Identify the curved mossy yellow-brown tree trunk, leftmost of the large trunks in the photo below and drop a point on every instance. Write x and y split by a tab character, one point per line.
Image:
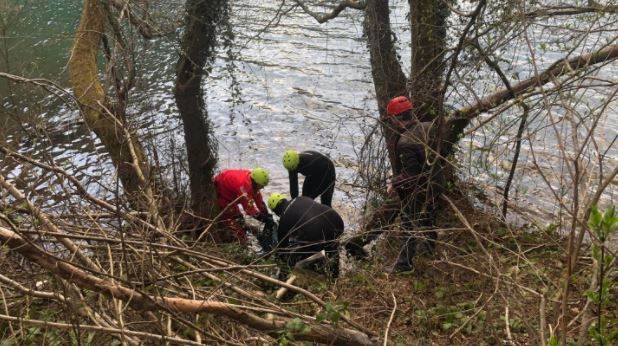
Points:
125	152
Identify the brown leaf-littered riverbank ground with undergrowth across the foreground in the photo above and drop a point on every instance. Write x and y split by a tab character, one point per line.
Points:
487	284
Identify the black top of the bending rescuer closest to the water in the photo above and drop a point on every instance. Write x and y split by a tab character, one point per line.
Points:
312	164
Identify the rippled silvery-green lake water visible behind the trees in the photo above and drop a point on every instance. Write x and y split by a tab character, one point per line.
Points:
303	86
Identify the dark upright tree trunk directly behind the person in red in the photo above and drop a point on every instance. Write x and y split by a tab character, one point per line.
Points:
197	50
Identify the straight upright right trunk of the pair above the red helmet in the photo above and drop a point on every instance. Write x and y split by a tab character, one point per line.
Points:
427	23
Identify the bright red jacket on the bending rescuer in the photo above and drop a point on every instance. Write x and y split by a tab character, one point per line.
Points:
235	186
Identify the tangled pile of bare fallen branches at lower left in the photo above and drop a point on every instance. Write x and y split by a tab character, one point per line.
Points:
149	284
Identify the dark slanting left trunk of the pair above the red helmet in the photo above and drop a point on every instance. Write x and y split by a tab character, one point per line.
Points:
388	78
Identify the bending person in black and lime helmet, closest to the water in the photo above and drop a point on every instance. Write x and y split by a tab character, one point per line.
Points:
319	172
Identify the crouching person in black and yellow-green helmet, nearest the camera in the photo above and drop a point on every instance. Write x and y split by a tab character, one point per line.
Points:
306	227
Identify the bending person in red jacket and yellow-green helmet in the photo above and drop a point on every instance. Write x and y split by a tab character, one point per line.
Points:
242	186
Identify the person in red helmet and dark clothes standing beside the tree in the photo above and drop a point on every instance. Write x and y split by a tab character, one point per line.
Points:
415	189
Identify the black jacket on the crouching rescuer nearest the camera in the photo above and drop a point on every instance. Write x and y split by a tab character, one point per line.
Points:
308	222
